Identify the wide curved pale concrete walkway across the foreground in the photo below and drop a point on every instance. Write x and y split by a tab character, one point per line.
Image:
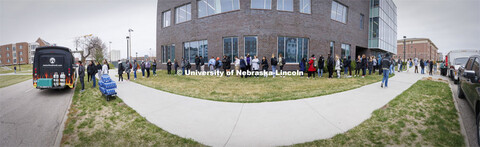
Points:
261	124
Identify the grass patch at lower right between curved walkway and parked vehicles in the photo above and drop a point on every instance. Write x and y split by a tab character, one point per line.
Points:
423	115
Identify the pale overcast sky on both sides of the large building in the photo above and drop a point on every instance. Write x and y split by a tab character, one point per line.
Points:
450	24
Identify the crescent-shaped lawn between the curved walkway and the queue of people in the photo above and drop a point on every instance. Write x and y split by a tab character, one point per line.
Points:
252	90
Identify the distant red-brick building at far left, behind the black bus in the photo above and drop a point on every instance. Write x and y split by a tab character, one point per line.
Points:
20	53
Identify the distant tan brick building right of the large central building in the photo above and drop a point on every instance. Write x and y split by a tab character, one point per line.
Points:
421	48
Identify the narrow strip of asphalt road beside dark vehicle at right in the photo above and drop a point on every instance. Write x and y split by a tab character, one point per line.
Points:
467	116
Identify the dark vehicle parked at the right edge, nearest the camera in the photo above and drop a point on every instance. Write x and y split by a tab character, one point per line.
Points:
469	86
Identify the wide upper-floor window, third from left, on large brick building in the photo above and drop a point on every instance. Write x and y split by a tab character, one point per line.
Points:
210	7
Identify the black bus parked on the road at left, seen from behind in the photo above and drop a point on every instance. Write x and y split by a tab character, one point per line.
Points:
54	68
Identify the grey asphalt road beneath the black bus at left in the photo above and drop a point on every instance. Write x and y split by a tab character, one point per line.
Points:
31	117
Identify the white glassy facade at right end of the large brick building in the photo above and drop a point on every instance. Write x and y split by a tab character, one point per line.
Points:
382	36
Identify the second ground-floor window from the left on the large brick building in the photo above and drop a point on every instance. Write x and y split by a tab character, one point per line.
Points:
195	48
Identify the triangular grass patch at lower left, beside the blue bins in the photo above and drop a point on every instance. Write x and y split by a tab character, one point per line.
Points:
92	121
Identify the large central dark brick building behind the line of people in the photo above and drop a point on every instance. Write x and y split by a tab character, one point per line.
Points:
293	28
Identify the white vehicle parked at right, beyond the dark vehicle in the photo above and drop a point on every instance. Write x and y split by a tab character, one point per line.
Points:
456	59
